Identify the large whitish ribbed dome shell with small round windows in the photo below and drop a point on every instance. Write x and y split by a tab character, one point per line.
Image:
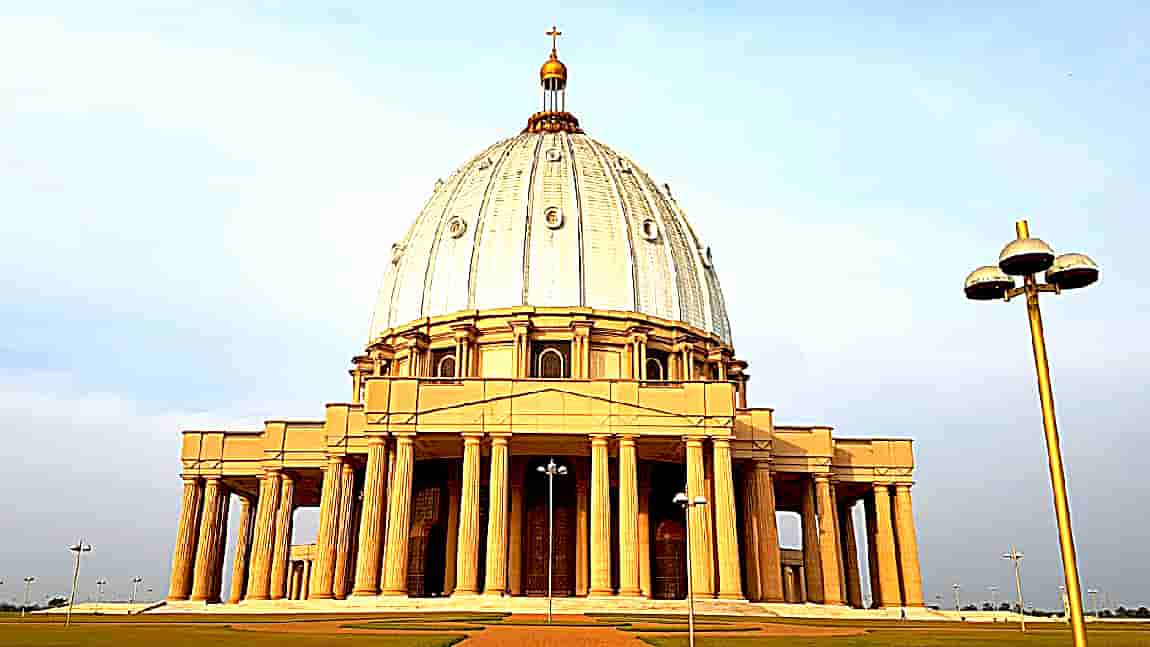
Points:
551	220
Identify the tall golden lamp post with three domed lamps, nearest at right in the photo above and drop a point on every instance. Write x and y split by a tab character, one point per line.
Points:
1028	258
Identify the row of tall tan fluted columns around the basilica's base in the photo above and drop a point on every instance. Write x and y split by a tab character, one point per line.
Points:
365	526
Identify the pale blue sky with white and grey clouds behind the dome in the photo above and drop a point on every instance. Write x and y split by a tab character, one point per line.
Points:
197	204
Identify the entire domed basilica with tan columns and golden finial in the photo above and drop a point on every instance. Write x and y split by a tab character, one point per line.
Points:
551	302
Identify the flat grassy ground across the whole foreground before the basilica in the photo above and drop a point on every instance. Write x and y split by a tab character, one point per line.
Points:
447	629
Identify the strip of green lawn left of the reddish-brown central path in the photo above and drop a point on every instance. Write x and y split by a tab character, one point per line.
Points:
103	635
